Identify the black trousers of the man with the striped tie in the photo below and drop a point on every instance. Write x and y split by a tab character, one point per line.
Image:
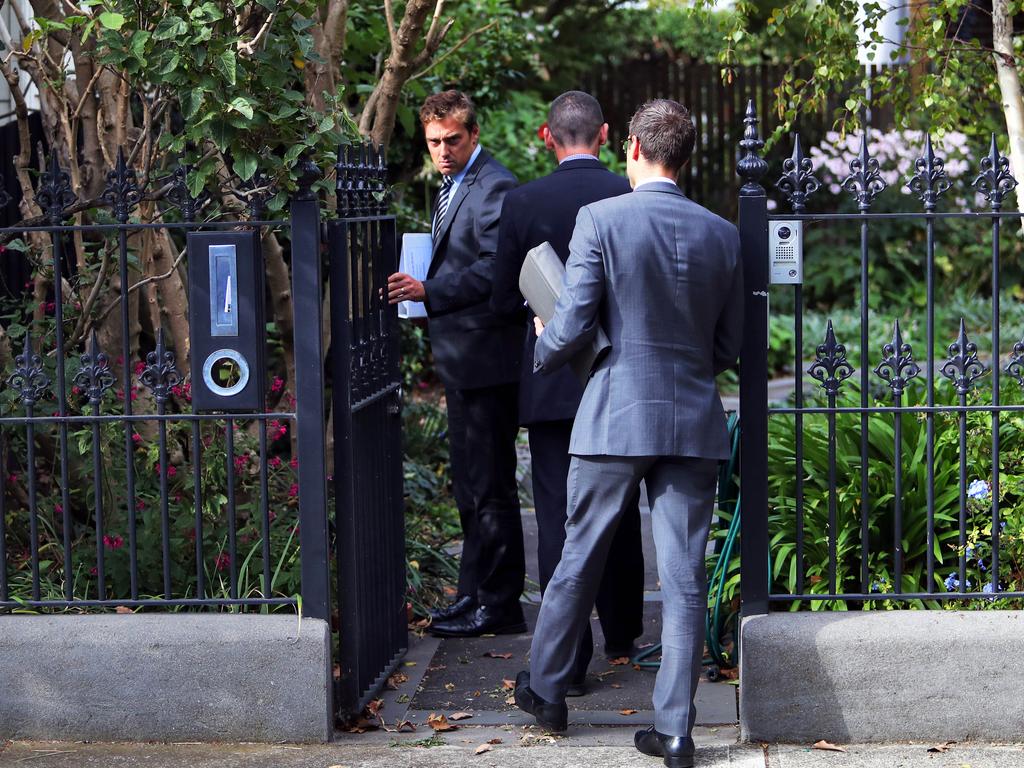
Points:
483	429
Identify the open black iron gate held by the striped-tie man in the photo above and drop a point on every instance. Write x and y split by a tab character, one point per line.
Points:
369	521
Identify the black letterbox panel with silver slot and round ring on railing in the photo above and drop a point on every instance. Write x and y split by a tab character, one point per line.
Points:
227	304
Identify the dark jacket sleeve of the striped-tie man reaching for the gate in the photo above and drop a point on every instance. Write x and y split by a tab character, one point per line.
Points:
472	285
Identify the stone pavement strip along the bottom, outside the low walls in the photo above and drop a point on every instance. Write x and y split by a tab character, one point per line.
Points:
509	748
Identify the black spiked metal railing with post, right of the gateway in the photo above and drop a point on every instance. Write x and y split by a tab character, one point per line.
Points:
877	536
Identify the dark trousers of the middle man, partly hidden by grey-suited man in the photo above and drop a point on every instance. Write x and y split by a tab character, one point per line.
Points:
620	599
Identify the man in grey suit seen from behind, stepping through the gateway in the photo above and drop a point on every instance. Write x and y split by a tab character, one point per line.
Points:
662	276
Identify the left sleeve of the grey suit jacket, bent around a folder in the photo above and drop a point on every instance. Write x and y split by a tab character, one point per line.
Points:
577	314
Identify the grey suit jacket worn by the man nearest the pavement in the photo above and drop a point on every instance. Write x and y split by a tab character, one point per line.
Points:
663	277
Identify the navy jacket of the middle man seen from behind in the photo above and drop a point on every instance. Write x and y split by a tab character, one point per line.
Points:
539	211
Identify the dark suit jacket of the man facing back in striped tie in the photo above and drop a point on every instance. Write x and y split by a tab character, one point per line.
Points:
473	347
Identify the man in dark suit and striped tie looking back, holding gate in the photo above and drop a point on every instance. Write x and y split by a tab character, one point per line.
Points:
478	357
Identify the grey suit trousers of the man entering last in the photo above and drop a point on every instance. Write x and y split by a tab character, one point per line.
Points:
681	492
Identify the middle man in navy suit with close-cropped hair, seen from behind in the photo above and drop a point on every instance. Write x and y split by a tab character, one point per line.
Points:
546	210
